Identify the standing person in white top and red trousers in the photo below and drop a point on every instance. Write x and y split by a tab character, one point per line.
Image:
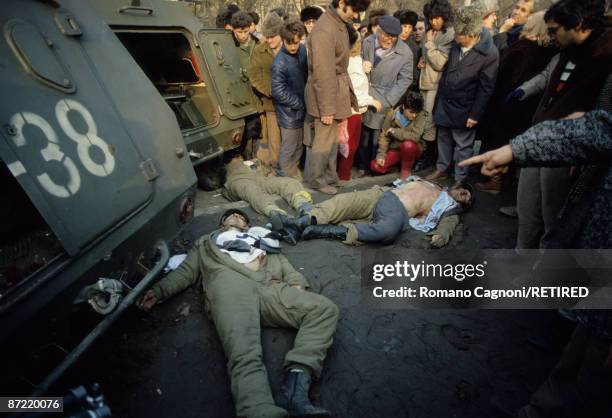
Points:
361	88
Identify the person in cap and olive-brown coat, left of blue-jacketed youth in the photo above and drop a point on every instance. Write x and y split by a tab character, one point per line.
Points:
260	73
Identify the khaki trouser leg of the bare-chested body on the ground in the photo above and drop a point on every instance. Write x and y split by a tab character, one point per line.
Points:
347	209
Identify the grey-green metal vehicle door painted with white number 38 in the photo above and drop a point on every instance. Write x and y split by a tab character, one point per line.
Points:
65	142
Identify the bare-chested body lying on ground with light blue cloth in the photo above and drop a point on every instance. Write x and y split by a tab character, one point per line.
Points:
381	214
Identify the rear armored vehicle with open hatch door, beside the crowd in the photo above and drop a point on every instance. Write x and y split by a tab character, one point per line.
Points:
195	69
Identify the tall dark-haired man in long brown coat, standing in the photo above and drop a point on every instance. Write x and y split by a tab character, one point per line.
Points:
329	94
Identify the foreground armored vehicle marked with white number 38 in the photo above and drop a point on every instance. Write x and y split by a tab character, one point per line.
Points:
95	175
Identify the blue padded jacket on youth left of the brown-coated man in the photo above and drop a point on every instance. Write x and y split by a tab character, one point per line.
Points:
289	75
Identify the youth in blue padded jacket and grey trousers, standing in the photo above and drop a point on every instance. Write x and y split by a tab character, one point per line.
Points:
289	75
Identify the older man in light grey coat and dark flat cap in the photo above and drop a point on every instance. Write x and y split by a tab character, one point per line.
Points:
390	76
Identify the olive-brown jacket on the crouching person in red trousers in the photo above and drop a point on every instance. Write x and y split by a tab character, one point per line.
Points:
414	132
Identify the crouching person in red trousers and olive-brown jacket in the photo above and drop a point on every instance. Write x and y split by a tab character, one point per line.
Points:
401	140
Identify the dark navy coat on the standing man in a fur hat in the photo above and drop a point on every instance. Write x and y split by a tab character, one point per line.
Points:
467	84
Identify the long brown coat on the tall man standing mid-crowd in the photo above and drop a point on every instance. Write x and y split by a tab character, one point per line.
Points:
329	91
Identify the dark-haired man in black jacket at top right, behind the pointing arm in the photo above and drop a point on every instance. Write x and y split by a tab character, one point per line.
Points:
585	63
